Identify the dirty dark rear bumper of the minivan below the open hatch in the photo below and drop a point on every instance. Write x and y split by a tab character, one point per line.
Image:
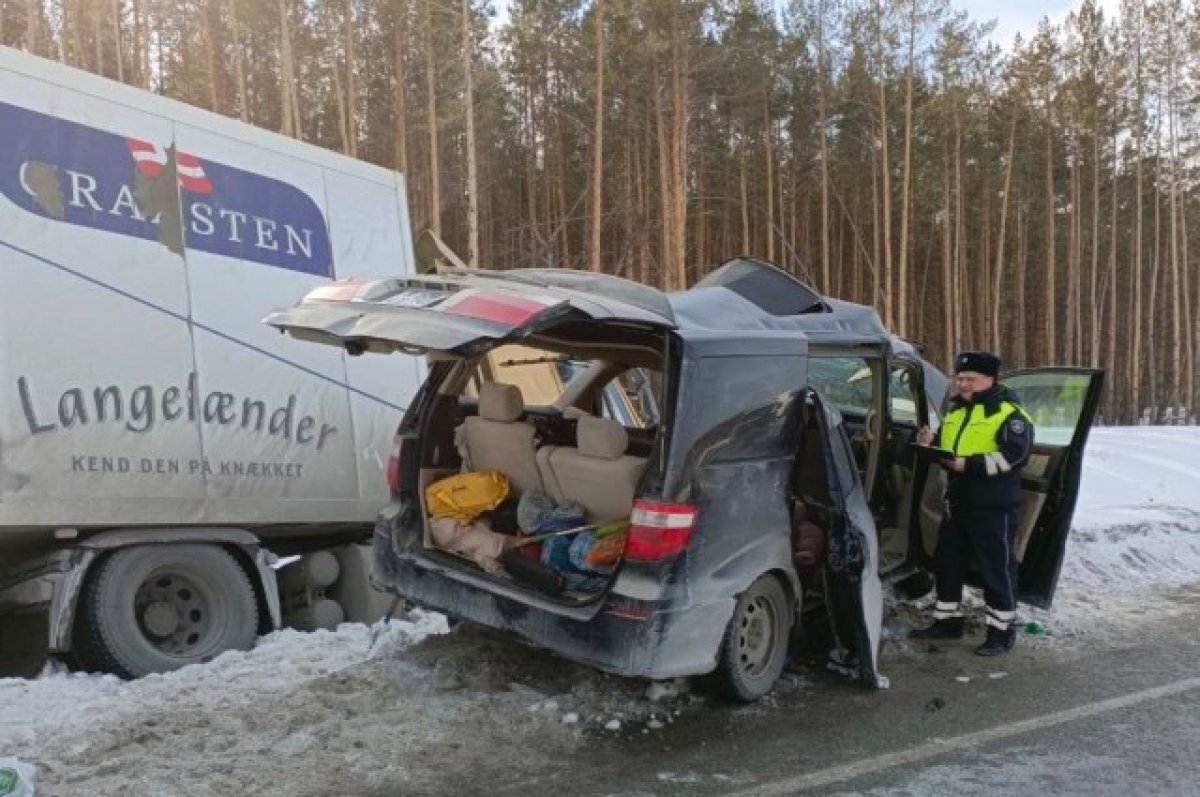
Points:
625	636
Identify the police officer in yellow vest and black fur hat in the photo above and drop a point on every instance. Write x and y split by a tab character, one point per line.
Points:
991	436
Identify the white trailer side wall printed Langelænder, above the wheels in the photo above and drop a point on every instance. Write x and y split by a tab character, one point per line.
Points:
142	242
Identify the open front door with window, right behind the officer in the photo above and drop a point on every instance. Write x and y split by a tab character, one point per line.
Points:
1063	404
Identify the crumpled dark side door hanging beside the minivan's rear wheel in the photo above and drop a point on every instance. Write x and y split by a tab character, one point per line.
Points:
853	584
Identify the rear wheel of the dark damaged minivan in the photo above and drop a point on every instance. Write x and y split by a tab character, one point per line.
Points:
755	645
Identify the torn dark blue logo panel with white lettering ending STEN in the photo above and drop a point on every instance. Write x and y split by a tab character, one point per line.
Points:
88	177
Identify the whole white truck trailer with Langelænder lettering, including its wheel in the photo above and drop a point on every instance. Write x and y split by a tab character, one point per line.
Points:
159	445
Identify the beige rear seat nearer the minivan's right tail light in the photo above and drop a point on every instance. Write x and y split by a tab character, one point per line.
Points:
597	472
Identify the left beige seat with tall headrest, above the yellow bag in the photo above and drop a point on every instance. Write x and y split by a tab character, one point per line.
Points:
496	440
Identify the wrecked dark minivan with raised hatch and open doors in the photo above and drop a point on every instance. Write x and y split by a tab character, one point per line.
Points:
748	438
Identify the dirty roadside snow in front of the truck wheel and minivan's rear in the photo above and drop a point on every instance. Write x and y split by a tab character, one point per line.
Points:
309	714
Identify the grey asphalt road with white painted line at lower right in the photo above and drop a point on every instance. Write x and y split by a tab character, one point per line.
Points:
1114	717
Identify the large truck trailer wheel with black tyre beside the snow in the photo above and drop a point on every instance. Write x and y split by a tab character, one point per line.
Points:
158	608
